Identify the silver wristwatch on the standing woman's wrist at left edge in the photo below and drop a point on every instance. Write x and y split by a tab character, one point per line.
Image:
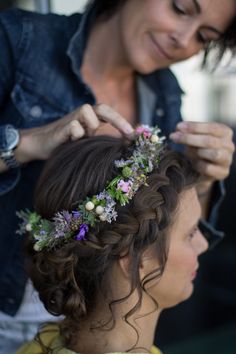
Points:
9	139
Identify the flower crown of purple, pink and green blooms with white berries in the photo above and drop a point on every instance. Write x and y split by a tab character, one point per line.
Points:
66	226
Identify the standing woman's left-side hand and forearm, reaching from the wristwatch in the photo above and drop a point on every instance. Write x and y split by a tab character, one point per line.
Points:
38	143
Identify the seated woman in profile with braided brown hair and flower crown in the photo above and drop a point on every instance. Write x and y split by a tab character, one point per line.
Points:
115	240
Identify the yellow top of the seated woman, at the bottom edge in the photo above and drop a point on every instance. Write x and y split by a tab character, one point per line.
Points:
50	338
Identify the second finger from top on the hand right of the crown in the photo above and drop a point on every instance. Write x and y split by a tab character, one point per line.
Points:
201	141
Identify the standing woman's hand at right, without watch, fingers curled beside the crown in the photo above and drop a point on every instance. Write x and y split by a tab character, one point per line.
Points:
210	147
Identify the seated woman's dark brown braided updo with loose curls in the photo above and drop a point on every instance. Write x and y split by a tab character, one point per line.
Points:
69	279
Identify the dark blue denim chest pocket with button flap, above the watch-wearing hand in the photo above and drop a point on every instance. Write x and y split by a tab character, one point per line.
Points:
35	108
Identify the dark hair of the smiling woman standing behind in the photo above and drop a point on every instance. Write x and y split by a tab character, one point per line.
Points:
106	8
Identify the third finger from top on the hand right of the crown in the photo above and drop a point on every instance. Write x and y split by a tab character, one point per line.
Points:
218	156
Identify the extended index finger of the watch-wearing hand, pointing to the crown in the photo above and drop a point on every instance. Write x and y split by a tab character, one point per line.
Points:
109	115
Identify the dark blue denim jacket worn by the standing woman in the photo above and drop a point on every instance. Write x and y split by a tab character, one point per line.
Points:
40	82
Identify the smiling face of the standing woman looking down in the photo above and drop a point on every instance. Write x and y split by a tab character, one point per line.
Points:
157	33
